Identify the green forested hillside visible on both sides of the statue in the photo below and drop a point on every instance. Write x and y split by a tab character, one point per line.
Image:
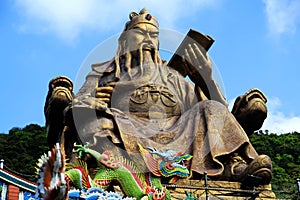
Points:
22	147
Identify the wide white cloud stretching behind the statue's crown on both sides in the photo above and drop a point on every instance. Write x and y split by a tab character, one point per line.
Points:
68	18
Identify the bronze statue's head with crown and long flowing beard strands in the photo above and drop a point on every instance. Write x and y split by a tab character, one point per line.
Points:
138	40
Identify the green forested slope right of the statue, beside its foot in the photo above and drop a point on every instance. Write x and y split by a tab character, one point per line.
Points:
284	150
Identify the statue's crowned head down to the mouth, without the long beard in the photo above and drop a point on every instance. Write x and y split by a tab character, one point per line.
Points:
141	32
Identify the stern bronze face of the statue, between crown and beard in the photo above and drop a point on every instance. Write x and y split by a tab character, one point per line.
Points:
142	34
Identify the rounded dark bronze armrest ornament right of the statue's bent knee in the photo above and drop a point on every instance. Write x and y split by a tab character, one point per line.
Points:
250	110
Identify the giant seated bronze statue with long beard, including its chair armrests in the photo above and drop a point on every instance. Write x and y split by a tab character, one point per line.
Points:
139	99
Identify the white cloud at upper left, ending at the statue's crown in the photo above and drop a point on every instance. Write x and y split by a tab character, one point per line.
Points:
66	19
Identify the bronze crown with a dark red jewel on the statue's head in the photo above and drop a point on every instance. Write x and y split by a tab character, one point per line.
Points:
143	17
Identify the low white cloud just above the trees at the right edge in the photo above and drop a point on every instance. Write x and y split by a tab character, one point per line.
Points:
277	121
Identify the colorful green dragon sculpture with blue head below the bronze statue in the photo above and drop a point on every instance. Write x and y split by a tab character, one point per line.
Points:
135	183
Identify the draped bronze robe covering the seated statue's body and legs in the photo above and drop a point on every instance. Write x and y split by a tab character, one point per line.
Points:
157	107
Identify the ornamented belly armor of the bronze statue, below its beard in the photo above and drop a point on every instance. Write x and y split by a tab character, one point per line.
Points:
149	101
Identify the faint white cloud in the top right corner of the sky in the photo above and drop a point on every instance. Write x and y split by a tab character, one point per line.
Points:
283	15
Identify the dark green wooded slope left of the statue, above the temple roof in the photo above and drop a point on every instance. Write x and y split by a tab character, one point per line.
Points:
21	149
